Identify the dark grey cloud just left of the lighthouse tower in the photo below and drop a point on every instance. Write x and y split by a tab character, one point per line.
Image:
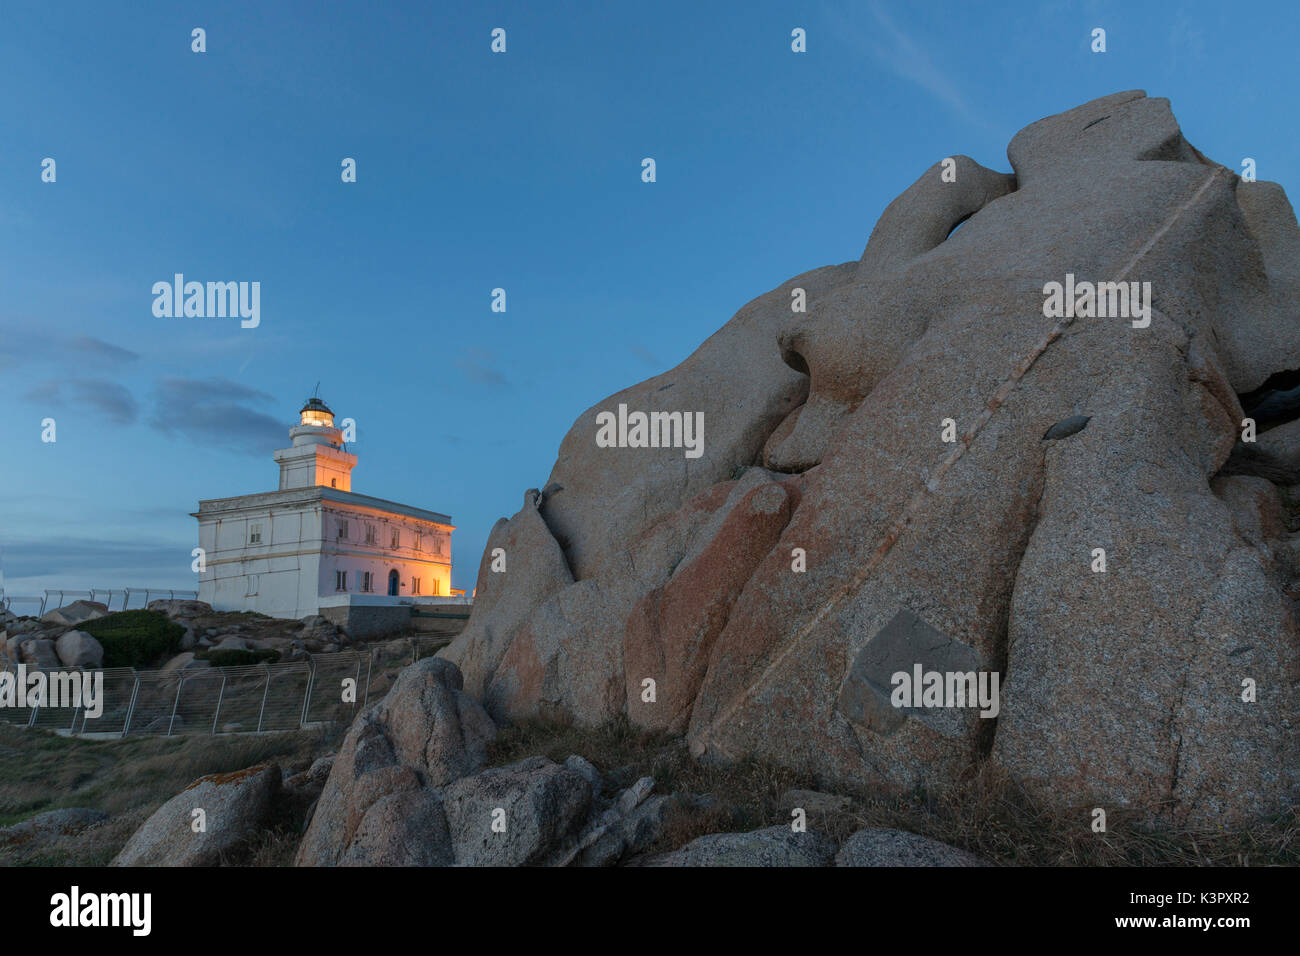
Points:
218	412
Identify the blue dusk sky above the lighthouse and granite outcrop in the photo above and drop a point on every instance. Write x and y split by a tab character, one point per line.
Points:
476	171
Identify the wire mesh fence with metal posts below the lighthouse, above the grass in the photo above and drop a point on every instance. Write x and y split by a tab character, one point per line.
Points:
253	699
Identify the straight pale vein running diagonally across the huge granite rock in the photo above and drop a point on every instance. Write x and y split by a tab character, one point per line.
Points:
931	485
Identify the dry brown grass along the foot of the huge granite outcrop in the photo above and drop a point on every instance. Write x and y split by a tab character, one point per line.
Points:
989	815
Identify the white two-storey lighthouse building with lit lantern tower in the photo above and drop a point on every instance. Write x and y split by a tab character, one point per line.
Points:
315	547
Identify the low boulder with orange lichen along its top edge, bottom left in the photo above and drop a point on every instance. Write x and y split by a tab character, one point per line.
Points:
236	807
